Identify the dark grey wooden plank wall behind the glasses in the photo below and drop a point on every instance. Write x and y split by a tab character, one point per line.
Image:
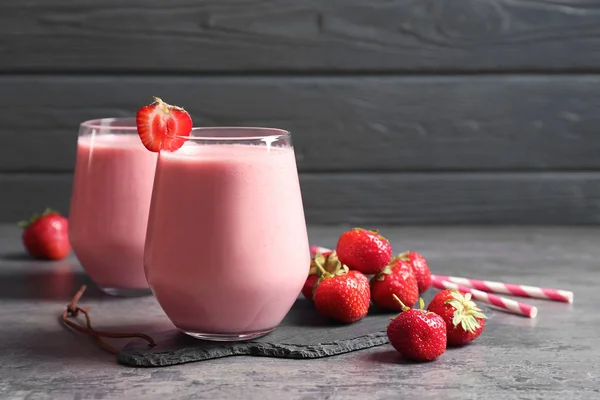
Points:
408	111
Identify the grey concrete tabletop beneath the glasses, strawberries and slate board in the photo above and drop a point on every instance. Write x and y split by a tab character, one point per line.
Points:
555	356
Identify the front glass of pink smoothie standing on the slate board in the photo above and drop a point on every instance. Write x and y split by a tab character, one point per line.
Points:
227	249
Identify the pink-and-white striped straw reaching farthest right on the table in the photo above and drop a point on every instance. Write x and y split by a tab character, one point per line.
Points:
510	288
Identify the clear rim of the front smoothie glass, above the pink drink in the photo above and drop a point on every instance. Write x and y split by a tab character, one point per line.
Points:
269	134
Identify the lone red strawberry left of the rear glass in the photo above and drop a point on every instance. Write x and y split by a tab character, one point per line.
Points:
46	236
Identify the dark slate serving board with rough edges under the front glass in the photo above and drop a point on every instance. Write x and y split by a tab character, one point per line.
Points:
303	334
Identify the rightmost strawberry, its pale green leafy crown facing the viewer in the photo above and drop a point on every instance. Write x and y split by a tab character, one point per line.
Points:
464	320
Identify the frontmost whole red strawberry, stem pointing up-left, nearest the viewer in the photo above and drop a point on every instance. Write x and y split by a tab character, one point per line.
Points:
418	335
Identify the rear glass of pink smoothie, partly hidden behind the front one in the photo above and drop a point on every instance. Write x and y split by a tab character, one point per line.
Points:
114	174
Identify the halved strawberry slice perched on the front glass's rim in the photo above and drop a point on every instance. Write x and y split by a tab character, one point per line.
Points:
161	125
